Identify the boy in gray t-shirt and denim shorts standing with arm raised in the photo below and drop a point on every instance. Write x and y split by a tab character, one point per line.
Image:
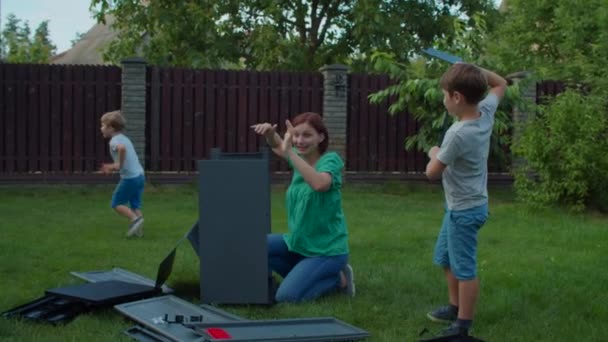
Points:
461	162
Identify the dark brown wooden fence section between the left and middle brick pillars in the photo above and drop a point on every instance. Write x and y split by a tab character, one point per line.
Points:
191	111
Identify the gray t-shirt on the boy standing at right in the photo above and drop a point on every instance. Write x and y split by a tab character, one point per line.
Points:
464	151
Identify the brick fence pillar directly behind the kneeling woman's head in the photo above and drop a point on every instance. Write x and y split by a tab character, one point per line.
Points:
335	95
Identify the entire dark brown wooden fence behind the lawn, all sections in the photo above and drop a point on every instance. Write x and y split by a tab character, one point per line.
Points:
49	117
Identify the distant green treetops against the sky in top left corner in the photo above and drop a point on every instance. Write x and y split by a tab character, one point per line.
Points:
16	45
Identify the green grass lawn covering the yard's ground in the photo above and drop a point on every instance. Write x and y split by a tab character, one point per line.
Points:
543	272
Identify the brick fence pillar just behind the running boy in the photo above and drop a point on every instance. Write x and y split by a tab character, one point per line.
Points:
134	103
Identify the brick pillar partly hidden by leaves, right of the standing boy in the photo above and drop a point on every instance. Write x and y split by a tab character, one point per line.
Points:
522	115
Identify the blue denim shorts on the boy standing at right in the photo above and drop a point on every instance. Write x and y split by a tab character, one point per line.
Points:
456	246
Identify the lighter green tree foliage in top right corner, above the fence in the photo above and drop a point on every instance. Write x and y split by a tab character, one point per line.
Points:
555	39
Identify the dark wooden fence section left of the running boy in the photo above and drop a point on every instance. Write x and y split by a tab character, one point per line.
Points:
50	116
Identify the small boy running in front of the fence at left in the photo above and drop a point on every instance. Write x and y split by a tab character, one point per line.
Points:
131	186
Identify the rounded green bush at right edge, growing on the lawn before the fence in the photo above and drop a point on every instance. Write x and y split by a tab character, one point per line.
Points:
565	151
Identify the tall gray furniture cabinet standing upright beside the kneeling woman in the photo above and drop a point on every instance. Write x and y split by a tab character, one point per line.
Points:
234	220
